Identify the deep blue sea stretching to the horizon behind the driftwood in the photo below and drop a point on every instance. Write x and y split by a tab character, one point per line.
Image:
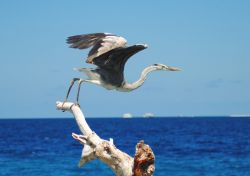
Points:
183	146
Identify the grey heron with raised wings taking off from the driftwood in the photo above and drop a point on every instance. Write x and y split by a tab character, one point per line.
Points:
109	53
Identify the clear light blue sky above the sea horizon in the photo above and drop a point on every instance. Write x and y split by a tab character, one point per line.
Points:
209	40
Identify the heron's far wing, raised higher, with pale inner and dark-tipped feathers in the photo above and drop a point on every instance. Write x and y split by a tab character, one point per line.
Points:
101	42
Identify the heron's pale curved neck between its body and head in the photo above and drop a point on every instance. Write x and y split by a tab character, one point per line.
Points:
131	86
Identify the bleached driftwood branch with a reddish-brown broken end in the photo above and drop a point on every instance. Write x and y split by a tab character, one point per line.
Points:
96	148
